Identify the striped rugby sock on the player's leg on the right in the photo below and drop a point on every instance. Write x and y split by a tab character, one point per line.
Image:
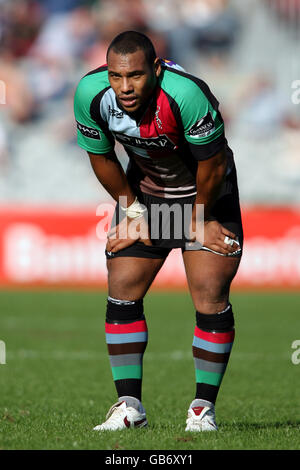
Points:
213	340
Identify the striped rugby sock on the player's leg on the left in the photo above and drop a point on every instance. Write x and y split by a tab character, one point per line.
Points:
126	338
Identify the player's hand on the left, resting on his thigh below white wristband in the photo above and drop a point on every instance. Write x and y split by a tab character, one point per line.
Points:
128	232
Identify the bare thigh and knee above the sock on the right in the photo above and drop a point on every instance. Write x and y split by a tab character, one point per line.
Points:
209	279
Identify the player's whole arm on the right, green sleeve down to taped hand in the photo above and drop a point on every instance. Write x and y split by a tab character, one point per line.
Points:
204	133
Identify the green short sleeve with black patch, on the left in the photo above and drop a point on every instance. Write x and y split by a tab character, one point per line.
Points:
90	135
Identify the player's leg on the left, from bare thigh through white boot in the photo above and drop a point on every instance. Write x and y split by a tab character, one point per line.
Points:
129	278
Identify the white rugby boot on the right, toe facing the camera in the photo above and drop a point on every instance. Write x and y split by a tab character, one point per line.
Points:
201	418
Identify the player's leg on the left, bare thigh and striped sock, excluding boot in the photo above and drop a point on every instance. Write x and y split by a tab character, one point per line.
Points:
126	327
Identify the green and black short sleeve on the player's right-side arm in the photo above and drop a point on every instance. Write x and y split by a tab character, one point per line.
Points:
202	122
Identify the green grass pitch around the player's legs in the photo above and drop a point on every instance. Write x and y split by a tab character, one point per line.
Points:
57	384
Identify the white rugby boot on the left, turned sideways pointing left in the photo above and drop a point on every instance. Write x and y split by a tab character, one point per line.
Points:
122	416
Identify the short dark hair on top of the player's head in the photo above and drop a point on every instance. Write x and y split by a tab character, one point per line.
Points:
132	41
